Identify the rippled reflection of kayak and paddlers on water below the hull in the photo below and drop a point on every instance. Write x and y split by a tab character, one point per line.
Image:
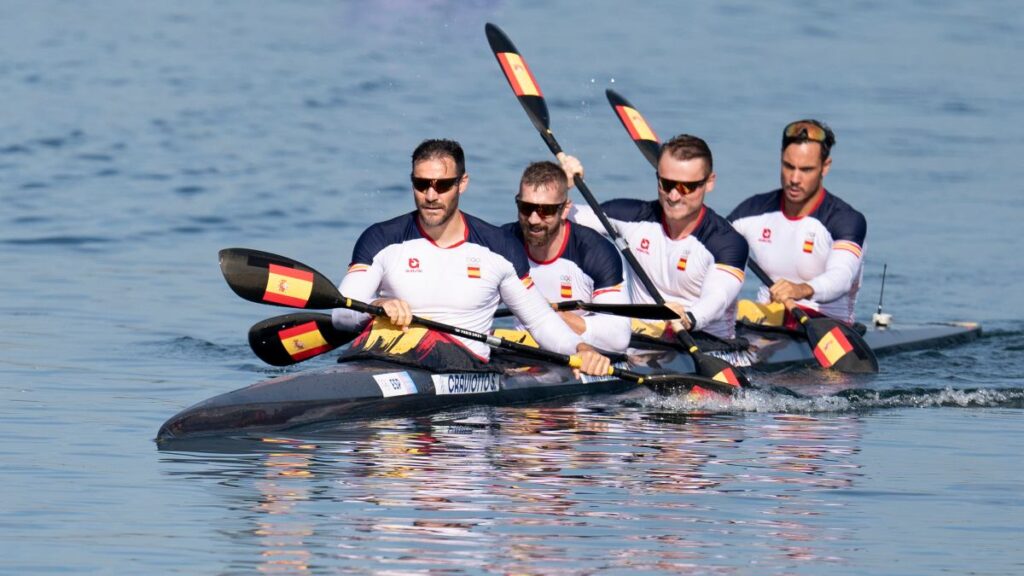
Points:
538	490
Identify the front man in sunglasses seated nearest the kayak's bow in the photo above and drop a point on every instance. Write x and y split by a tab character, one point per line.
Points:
442	264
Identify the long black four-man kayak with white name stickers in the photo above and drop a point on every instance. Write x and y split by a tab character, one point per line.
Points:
375	389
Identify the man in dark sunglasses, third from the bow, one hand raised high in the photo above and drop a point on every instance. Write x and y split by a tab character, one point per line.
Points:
693	256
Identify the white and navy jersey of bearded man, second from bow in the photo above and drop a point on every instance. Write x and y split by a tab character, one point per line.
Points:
587	268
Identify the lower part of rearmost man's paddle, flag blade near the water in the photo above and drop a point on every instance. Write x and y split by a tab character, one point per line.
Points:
835	345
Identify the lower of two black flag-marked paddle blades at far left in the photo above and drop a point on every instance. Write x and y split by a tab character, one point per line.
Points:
291	339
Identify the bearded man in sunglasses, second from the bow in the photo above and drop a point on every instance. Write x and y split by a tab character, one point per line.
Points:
570	263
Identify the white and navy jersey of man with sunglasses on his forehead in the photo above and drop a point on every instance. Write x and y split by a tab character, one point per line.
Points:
824	250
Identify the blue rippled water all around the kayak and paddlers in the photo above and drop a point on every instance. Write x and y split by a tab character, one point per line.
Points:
141	138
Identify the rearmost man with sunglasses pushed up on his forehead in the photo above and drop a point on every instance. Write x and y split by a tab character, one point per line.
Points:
808	240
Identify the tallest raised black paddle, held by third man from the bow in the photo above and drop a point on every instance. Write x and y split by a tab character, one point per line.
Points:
530	96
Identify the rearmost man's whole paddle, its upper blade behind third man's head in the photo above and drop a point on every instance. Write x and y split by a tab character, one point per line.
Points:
835	345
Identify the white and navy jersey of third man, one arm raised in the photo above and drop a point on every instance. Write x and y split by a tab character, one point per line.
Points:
704	272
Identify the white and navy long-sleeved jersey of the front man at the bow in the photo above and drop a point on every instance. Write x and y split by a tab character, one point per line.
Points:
460	285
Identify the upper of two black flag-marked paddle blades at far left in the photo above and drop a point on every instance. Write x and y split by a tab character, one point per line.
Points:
270	279
